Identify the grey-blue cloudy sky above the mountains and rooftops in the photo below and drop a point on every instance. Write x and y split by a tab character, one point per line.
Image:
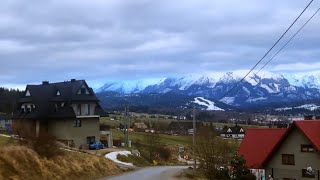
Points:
100	40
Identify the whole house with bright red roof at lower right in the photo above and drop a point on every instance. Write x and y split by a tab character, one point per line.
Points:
286	154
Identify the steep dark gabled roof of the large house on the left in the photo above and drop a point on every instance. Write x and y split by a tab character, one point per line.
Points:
45	99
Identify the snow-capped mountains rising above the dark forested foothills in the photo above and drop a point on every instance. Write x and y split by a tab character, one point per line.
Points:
262	88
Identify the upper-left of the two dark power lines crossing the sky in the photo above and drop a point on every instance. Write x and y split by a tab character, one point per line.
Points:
268	50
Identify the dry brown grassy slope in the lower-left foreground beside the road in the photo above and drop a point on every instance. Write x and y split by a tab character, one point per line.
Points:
20	162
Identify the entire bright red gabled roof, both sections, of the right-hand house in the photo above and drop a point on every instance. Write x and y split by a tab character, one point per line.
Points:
259	145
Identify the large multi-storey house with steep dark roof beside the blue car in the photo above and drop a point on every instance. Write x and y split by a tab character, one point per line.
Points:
68	110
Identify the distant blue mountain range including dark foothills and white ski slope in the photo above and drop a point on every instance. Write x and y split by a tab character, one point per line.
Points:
263	89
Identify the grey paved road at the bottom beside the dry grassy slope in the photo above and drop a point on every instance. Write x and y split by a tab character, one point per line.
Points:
151	173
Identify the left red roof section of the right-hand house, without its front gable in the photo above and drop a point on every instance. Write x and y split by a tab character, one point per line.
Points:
258	144
